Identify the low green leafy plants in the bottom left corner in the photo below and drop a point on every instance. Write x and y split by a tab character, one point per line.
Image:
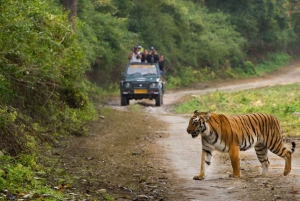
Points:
21	178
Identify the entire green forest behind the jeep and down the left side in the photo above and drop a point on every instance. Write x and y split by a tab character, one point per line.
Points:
56	56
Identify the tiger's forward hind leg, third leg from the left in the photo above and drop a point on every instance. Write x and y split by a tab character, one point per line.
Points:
262	155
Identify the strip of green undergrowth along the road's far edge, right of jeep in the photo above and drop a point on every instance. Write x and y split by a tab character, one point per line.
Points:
188	76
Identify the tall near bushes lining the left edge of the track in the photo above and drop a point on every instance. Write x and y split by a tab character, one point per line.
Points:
44	91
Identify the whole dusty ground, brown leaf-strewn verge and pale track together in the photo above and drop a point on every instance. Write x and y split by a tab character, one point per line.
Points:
163	159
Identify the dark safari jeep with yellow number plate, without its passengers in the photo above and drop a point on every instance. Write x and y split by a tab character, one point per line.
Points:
142	81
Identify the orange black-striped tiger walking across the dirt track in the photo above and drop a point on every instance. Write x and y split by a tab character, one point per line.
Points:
232	134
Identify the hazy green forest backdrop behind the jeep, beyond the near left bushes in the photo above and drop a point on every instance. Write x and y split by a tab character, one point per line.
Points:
221	37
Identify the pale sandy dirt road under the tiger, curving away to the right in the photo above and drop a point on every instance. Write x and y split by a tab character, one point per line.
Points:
181	153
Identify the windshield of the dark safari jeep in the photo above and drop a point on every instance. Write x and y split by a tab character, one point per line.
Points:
141	69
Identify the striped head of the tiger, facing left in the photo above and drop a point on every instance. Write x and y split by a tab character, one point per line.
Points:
197	124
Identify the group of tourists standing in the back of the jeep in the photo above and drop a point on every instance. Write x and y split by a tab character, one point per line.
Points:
146	56
